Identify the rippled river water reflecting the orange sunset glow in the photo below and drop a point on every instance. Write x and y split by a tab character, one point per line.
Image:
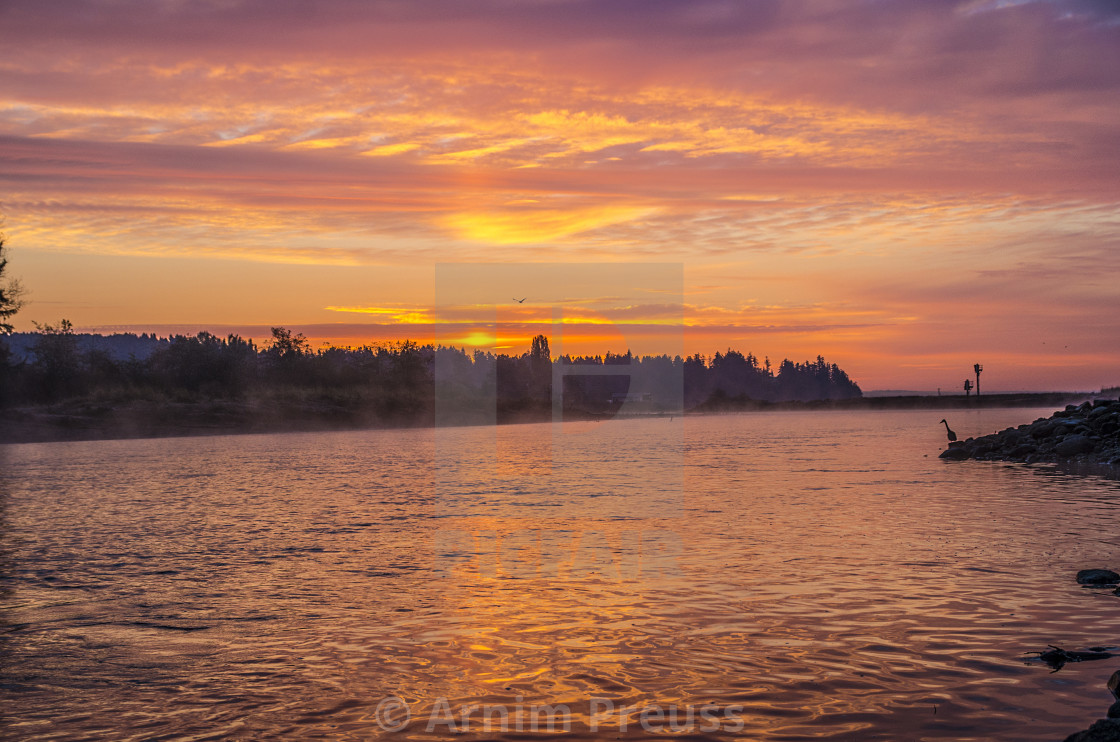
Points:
800	576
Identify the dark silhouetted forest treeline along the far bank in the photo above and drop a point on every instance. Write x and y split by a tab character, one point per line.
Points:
234	383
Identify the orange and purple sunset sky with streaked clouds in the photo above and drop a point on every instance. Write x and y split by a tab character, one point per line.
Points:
907	189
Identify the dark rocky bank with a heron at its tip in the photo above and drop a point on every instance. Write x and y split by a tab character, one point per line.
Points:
1085	434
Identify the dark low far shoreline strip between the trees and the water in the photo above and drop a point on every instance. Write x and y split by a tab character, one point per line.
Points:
85	420
